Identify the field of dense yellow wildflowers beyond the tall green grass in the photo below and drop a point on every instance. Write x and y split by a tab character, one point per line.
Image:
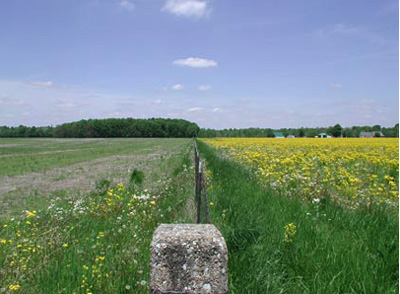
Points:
354	172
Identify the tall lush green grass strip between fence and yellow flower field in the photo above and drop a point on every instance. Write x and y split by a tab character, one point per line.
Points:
283	245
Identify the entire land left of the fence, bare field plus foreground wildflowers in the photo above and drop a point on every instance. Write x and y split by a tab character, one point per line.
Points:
77	215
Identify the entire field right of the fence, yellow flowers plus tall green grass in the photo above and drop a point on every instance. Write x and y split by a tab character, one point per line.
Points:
306	215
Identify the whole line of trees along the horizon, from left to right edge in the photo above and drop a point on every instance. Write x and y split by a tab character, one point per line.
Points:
177	128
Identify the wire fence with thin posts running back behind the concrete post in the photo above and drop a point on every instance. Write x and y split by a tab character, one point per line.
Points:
203	211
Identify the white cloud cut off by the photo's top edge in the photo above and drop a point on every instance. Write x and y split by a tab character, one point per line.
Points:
187	8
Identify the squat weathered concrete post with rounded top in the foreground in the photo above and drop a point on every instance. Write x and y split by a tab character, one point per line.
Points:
188	258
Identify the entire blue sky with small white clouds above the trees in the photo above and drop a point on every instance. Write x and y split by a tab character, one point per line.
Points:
219	63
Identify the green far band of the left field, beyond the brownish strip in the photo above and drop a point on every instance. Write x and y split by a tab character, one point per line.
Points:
38	155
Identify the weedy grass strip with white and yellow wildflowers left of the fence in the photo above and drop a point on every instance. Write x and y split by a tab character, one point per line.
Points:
93	244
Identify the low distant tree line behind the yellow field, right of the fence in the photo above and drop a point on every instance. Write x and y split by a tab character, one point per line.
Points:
334	131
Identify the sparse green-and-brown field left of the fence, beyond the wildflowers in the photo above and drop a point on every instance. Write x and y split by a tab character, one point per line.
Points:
28	179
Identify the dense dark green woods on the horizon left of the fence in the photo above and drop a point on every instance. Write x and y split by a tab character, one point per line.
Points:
109	128
